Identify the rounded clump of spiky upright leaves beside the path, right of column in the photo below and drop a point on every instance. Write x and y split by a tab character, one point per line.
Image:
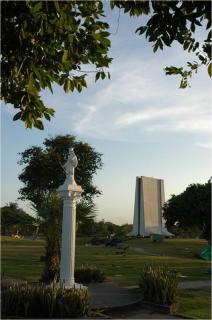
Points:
159	284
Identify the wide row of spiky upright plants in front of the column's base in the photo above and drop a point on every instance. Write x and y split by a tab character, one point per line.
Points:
40	301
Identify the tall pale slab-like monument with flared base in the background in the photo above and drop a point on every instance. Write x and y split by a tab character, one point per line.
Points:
149	200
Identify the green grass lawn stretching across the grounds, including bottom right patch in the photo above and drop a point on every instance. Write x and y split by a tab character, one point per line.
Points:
21	260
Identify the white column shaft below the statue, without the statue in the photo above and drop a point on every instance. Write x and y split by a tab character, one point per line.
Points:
68	239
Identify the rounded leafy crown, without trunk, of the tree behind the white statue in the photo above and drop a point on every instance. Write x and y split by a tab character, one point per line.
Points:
43	169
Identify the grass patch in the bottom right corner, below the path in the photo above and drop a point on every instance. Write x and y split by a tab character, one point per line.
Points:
194	303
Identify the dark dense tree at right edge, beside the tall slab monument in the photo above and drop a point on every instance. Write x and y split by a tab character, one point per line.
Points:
191	209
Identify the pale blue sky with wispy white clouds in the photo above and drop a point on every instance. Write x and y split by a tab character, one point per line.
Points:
141	122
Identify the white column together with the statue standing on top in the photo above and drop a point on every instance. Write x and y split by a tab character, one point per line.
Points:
69	192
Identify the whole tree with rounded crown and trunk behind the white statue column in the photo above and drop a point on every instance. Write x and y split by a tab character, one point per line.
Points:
42	174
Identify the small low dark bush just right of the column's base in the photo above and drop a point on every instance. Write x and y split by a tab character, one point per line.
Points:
88	275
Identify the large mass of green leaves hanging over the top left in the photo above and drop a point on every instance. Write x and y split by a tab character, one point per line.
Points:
45	42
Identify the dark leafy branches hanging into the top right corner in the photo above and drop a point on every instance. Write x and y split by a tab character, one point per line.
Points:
175	21
